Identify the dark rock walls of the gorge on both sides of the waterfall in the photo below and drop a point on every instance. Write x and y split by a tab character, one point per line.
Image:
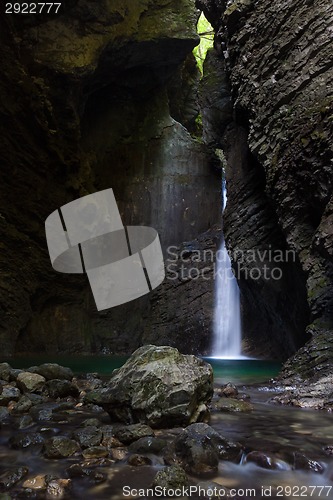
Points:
118	101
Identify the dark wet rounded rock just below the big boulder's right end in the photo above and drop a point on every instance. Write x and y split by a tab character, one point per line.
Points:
199	448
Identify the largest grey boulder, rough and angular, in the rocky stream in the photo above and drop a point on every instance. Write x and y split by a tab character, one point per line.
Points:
158	386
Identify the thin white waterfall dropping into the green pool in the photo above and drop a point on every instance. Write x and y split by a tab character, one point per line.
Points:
227	323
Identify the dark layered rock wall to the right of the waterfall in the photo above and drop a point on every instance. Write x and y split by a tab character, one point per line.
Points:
279	169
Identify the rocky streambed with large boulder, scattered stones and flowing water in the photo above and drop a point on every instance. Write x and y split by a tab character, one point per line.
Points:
56	442
